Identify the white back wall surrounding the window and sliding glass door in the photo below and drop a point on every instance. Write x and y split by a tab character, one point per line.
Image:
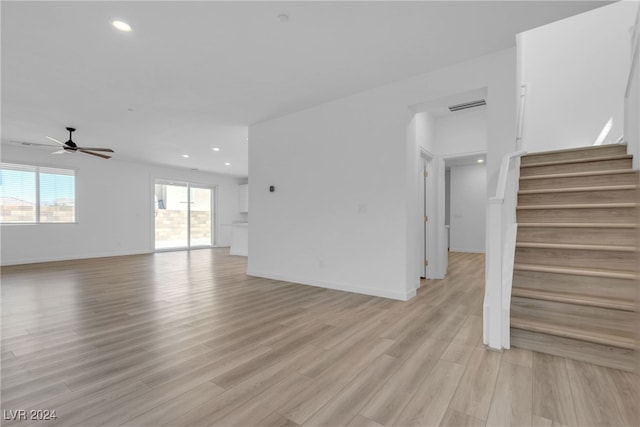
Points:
114	205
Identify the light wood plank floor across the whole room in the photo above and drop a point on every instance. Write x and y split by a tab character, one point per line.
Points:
186	338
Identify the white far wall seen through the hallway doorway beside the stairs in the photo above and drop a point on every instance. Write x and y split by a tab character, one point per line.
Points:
468	208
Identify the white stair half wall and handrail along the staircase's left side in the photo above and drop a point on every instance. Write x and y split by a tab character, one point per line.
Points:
501	243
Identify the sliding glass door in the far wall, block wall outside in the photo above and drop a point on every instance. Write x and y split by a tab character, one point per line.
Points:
184	215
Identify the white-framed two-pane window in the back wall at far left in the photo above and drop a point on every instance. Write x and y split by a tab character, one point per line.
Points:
36	194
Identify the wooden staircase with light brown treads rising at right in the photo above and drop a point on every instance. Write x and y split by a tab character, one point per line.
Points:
575	276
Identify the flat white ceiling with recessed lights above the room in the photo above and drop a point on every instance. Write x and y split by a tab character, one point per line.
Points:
197	74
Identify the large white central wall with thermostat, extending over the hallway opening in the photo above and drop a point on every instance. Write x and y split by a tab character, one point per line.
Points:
345	213
